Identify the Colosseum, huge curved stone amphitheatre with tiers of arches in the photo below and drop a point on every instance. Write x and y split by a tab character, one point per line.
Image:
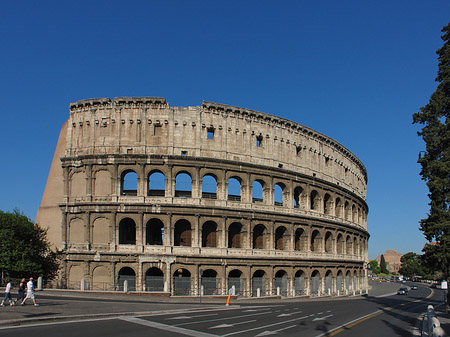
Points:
204	200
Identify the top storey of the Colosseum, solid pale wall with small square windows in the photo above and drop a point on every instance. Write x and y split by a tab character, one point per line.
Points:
148	125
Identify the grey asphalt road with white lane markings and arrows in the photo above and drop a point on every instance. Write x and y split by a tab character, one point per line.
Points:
393	315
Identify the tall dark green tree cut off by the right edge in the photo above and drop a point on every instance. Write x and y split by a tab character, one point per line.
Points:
435	162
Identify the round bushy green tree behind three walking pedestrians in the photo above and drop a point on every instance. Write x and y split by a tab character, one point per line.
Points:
24	249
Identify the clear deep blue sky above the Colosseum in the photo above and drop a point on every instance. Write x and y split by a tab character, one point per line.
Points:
353	70
